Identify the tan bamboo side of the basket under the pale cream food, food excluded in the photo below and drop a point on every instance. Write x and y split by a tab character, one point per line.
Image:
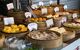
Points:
68	35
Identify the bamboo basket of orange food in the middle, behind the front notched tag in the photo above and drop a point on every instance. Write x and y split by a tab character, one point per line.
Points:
39	20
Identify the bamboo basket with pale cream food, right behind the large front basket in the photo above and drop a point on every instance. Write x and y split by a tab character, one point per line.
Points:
67	34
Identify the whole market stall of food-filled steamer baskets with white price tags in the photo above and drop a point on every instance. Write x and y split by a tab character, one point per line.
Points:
44	25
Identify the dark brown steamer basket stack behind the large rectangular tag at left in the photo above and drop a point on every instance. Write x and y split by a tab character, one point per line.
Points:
18	15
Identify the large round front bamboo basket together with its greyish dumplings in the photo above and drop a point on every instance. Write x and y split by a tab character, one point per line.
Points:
45	42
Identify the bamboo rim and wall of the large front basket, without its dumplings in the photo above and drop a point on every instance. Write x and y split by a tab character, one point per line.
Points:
55	43
